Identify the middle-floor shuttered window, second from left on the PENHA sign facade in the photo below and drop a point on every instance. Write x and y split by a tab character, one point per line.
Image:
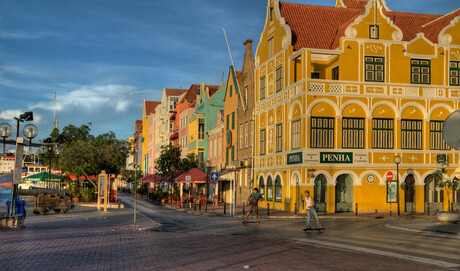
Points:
353	133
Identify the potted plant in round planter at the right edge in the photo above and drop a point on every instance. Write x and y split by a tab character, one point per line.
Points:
451	187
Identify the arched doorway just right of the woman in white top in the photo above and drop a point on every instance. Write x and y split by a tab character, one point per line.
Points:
344	194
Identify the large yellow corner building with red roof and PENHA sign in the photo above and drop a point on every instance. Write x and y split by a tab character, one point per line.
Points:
340	91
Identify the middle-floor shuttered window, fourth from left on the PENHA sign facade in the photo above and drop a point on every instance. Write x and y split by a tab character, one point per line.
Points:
411	134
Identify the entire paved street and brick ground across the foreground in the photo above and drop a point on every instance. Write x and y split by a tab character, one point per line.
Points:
90	240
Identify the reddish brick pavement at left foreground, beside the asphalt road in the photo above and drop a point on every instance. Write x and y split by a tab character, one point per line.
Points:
89	240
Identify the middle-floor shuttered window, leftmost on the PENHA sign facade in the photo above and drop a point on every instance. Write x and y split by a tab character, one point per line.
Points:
322	132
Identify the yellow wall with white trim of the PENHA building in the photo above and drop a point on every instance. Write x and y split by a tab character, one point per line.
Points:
351	96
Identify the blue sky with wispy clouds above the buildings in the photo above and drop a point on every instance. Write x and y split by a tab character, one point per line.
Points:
104	57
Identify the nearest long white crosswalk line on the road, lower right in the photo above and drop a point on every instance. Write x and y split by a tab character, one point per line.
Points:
379	252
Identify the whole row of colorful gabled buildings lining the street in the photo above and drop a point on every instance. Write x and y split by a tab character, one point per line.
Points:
330	98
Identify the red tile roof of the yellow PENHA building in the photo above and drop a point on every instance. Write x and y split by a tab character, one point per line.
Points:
321	27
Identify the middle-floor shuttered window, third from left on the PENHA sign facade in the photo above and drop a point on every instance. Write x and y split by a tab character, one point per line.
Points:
382	133
